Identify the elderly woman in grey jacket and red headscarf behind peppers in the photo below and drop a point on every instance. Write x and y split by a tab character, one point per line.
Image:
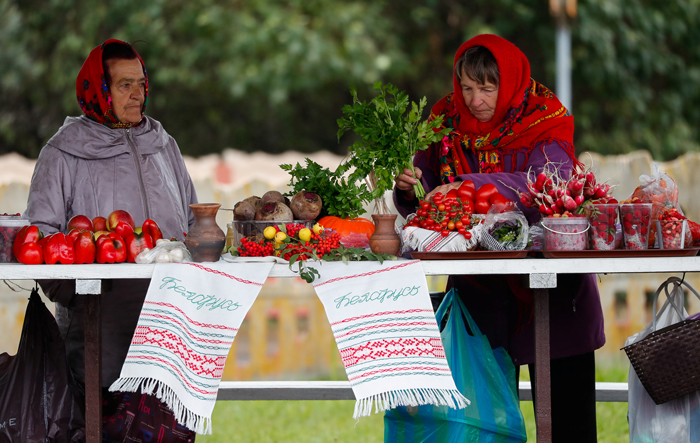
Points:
113	157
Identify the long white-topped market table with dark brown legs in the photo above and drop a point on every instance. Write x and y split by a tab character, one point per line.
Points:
541	276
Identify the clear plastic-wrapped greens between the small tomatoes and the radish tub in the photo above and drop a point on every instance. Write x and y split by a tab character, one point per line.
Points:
506	231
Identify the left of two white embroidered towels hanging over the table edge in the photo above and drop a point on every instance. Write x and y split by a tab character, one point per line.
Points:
188	322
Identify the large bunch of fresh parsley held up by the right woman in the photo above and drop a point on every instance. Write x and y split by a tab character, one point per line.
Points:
389	137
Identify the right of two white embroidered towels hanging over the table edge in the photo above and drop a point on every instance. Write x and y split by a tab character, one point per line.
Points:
385	329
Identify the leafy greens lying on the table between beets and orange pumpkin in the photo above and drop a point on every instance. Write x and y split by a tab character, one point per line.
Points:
341	197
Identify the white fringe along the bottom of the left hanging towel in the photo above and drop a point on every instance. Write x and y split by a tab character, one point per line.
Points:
197	423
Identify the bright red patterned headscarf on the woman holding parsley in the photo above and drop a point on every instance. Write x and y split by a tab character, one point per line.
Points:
526	114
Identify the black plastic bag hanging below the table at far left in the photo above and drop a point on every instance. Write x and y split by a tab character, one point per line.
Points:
38	400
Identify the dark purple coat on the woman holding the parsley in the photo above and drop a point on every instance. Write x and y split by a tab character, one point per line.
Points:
576	317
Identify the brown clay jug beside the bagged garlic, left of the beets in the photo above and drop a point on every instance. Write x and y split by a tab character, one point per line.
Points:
205	241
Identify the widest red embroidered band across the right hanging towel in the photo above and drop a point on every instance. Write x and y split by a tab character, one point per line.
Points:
401	347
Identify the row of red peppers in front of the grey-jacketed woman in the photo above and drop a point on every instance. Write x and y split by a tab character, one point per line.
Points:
80	247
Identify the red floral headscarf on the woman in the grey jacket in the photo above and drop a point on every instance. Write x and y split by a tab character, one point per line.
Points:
93	92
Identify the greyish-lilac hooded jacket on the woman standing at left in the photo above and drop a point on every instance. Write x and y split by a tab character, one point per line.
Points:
89	169
